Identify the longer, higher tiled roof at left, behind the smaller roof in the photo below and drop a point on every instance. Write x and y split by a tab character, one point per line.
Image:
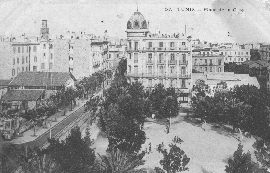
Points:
41	79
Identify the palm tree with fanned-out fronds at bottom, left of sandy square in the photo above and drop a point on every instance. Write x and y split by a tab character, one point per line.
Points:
120	162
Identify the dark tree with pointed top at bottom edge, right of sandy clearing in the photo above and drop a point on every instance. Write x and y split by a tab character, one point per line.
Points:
241	162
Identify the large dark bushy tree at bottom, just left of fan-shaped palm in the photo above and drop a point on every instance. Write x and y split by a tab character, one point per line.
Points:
74	154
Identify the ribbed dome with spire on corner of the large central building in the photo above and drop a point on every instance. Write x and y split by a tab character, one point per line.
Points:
137	21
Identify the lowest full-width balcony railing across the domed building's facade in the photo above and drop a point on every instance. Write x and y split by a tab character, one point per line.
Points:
158	75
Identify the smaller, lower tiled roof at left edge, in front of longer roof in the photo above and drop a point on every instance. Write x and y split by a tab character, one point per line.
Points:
22	95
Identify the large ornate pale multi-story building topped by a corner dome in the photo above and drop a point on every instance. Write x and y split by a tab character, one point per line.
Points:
158	58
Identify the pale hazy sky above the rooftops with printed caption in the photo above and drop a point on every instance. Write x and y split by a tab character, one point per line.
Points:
242	21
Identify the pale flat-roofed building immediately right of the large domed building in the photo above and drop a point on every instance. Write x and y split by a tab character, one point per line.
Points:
206	60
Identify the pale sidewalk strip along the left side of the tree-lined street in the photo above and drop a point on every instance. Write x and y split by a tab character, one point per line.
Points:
29	134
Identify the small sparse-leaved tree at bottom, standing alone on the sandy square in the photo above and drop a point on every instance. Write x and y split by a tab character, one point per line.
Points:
174	161
